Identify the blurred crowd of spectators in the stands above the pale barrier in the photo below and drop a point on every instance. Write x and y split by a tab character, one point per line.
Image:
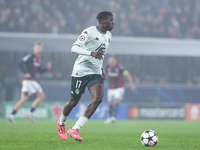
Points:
149	18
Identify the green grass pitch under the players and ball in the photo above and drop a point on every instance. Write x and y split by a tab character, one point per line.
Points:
173	135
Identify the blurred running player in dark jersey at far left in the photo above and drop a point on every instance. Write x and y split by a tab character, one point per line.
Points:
30	65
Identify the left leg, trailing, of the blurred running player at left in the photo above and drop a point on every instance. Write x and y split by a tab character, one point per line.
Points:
23	99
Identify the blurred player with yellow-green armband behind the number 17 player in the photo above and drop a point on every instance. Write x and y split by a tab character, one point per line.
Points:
116	74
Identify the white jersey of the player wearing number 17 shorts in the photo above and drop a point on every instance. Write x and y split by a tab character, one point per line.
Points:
91	39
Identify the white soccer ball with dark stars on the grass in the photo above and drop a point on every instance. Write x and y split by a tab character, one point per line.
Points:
149	138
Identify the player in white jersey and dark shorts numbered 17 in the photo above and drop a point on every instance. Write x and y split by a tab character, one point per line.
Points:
91	46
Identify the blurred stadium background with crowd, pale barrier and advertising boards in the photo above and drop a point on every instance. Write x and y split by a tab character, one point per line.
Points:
157	42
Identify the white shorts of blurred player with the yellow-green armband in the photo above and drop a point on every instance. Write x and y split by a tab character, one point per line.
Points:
115	94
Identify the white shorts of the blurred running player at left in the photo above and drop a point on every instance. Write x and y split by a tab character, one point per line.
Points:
31	87
